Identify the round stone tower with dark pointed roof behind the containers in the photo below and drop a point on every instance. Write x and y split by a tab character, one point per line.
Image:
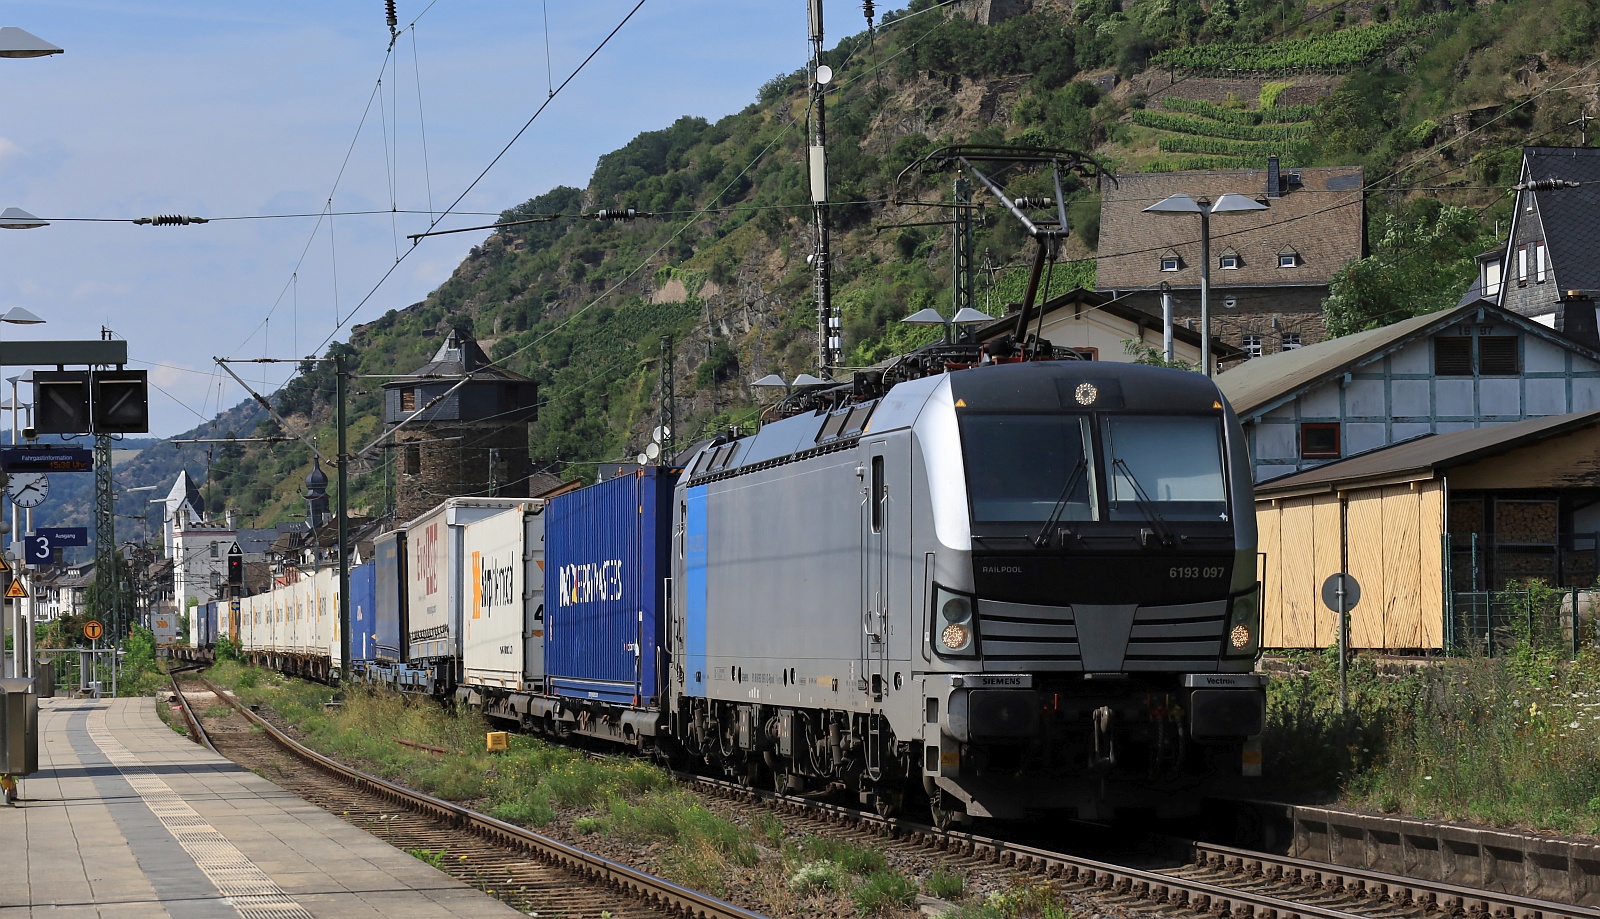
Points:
470	428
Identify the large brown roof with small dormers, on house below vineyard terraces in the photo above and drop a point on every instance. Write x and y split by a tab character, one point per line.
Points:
1321	220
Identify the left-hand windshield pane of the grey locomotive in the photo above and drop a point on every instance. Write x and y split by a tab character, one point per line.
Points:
1022	467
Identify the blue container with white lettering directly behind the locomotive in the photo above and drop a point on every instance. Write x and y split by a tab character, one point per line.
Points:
607	561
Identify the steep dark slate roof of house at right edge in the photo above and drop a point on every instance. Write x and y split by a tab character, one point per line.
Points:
1570	217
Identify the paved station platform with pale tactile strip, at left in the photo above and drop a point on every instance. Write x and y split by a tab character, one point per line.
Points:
127	819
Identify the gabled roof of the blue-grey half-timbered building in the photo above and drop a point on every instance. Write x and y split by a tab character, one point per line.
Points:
1265	383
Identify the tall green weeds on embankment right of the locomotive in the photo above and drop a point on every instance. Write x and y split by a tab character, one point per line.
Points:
1508	742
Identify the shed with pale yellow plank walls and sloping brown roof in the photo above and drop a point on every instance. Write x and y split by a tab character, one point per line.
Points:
1422	523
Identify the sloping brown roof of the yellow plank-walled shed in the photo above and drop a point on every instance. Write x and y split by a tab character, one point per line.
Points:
1426	457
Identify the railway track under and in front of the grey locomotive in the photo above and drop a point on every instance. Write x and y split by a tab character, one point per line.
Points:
1217	880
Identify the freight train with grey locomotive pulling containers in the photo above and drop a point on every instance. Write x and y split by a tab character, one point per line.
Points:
1012	590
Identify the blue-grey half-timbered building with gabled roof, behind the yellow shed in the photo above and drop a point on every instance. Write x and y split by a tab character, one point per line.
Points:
1458	369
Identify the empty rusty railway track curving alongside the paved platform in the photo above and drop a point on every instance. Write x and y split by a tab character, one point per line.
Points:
529	872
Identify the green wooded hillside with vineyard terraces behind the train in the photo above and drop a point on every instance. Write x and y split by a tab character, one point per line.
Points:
1434	98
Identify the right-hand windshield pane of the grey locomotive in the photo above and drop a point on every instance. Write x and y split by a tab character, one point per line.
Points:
1170	465
